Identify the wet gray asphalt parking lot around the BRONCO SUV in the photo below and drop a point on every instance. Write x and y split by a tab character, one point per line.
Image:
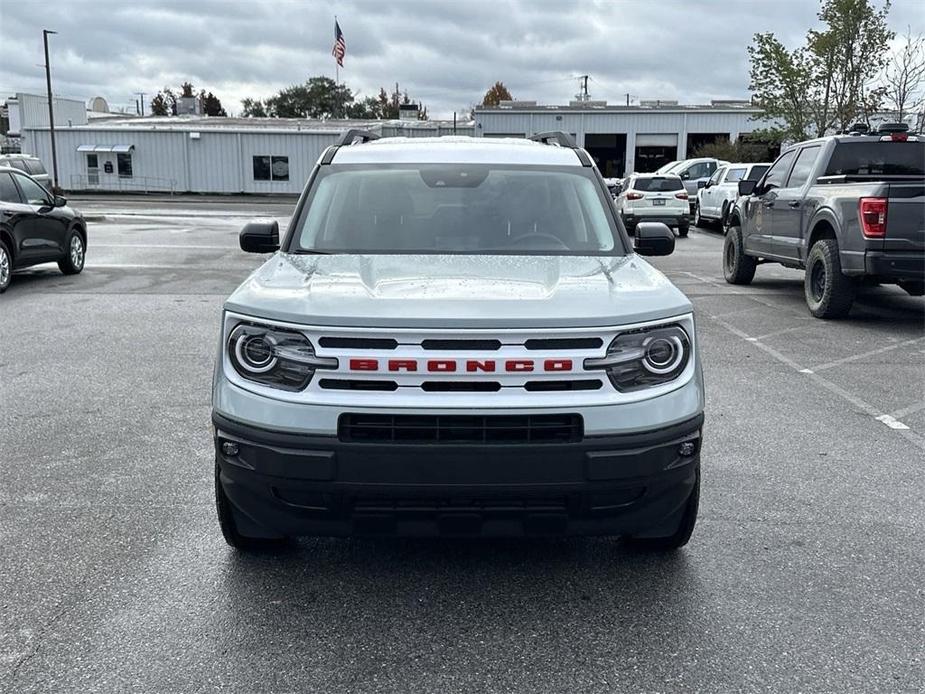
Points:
805	572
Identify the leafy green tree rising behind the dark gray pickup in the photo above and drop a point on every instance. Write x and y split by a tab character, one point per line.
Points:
827	83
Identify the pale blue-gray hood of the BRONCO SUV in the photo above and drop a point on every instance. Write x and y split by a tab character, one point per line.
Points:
463	291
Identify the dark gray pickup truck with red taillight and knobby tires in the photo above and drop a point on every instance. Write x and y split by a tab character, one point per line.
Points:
846	208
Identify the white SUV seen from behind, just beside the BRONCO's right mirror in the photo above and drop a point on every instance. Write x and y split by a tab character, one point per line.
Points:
654	198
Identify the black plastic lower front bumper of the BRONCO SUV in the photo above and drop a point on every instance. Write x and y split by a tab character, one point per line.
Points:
286	484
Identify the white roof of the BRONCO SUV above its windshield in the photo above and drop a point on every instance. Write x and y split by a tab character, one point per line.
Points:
455	150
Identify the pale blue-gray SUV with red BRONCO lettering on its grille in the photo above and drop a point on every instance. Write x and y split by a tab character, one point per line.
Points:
448	341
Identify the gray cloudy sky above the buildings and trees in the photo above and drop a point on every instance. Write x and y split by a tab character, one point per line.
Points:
444	53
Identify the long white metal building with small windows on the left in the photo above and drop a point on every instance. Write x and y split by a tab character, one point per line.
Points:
203	154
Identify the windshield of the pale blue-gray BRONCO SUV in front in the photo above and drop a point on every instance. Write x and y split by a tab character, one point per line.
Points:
456	208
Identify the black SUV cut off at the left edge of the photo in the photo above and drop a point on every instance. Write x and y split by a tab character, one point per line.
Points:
36	227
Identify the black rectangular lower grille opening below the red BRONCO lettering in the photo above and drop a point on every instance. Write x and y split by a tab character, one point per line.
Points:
490	429
